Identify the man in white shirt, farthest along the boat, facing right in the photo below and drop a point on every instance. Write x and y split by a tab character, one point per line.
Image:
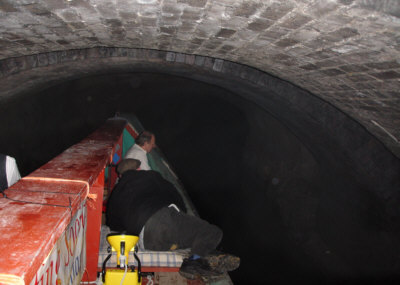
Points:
145	142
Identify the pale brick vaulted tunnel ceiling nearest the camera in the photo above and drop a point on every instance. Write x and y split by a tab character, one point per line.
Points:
346	52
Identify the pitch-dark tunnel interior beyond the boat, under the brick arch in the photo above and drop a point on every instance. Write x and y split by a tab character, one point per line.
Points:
294	210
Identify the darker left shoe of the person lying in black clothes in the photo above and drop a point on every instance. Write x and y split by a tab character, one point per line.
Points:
197	268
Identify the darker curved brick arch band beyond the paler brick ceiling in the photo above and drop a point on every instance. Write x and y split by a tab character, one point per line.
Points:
290	104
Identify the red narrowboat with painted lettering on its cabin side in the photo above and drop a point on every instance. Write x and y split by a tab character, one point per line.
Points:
52	220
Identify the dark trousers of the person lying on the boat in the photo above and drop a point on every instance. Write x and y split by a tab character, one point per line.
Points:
169	229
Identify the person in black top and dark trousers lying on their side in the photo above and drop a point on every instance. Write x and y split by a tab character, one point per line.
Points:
146	205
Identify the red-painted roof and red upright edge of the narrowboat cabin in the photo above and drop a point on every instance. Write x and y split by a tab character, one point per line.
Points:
30	230
